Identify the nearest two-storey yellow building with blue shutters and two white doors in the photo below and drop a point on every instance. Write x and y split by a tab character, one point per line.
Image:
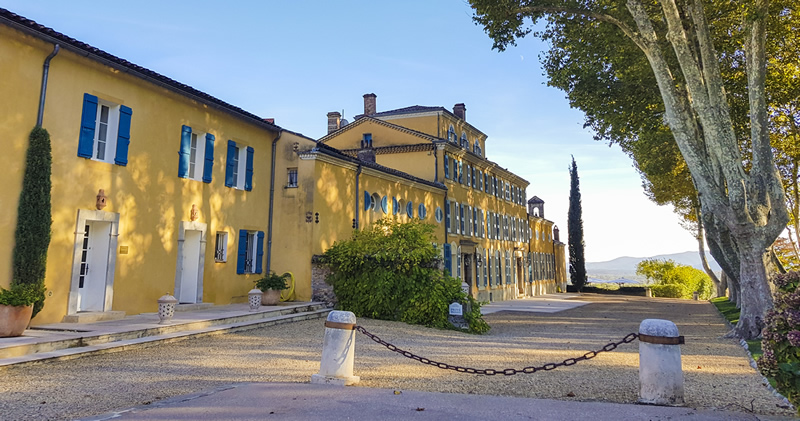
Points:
157	187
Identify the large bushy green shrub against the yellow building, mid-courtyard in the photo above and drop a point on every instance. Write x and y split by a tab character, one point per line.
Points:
390	271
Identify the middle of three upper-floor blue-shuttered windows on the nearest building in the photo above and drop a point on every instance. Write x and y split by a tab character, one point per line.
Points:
196	156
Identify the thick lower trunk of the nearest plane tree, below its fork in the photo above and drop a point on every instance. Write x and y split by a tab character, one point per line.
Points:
755	295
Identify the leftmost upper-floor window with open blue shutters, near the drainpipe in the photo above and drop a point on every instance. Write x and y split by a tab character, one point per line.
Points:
105	131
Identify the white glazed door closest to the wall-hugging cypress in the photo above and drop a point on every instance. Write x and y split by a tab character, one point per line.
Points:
94	266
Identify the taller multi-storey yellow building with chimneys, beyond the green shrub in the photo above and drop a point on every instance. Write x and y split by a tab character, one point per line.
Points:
490	240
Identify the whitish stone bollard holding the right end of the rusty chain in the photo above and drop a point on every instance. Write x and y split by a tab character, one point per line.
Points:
660	373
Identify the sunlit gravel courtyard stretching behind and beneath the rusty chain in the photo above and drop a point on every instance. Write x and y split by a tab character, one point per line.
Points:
717	370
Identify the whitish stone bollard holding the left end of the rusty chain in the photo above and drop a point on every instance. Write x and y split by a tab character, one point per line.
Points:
338	350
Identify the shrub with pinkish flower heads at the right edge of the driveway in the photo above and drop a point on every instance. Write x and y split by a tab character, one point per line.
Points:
780	342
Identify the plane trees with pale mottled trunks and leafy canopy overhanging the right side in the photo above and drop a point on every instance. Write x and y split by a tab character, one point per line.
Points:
682	86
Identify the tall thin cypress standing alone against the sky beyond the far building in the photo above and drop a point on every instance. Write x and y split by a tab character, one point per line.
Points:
577	262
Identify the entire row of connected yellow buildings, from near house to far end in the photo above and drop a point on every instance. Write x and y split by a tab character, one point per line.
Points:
158	187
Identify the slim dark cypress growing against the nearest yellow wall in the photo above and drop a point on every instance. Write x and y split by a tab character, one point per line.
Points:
32	235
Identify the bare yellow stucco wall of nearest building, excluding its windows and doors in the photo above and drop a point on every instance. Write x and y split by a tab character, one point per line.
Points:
147	193
